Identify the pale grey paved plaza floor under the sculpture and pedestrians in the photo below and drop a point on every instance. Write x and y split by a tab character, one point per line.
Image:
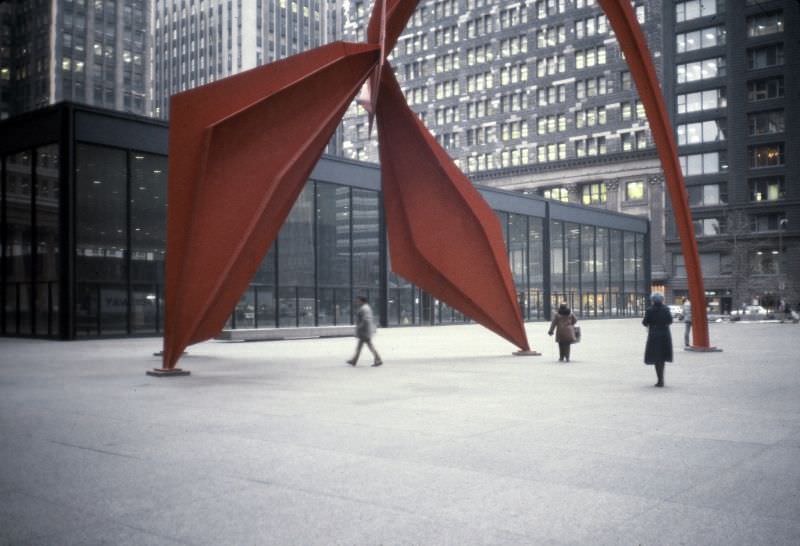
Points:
452	441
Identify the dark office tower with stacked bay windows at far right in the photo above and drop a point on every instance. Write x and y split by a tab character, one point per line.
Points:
732	73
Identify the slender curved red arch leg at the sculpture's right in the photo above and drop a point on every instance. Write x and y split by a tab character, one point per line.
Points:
634	45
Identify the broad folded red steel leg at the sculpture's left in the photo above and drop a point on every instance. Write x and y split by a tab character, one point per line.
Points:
241	150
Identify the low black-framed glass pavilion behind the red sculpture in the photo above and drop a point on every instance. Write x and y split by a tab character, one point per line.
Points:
83	201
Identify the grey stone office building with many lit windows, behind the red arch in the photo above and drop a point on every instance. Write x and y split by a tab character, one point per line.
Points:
530	96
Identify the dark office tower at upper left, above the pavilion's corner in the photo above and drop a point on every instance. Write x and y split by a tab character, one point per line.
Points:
92	52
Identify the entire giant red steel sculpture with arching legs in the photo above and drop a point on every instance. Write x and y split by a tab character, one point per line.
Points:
241	149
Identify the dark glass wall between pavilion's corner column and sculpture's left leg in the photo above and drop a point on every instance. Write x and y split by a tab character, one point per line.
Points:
120	241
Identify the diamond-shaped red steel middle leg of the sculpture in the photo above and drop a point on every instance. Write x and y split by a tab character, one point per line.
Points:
443	235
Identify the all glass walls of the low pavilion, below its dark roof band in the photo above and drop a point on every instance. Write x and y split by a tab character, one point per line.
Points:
327	253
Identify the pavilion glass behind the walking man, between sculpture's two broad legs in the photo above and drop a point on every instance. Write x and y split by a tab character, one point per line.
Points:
327	253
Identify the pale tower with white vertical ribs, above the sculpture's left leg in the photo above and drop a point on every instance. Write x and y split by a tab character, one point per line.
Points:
200	41
